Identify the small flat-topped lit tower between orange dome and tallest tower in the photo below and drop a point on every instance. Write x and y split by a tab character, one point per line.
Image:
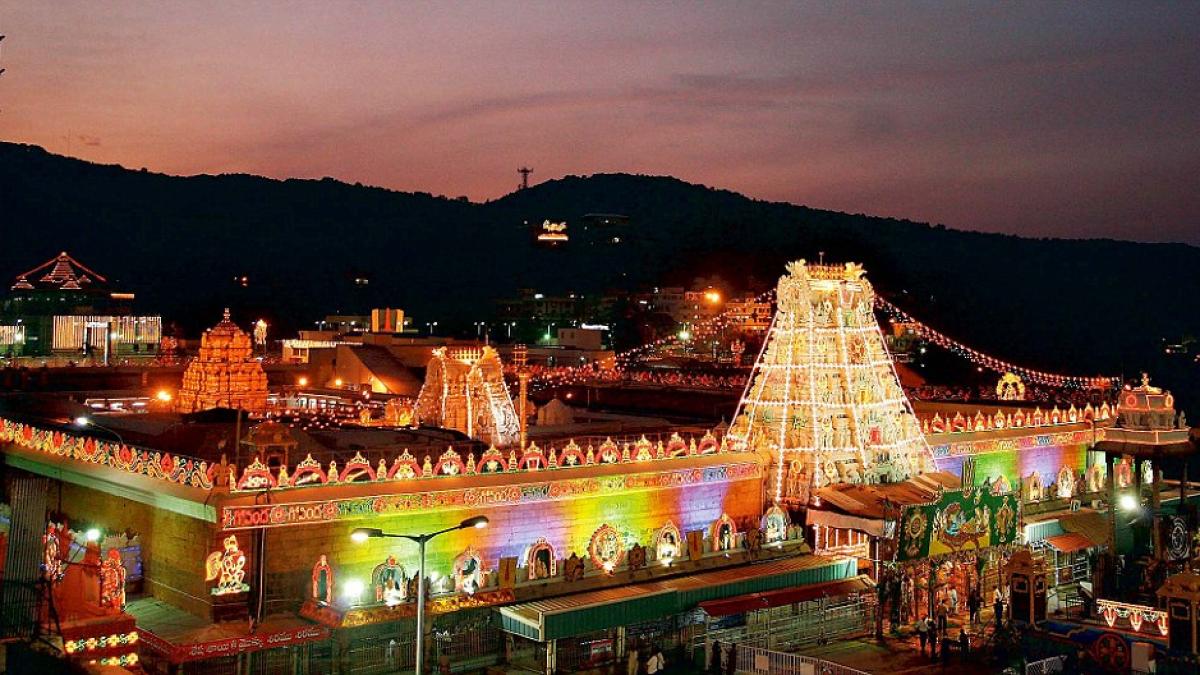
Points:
465	391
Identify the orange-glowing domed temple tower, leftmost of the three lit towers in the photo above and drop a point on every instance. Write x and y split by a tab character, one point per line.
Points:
226	373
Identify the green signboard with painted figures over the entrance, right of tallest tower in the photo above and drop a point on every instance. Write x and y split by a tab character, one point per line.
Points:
961	521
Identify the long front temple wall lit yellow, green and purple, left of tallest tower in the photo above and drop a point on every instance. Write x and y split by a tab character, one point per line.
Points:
568	524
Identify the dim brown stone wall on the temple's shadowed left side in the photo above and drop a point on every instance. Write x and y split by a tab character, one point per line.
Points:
173	546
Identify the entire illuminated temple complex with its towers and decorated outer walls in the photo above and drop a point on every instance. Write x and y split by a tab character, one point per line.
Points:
830	501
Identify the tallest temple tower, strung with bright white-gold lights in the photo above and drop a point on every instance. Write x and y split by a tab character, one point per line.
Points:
824	398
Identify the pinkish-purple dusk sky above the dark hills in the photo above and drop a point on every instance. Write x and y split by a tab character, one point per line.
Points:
1051	120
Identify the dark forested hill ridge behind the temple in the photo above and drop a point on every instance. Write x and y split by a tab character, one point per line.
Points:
1081	306
